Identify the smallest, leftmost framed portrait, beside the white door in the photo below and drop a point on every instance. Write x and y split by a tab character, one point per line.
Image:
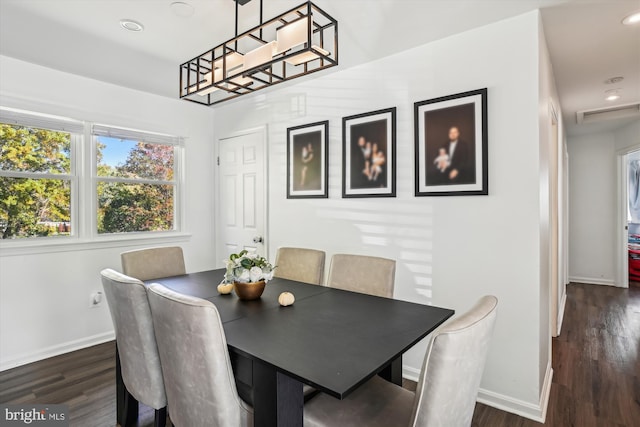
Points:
308	161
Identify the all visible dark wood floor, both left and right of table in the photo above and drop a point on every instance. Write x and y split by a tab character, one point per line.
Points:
596	364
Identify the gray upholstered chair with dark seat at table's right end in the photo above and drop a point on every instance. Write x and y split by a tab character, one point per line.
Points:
447	390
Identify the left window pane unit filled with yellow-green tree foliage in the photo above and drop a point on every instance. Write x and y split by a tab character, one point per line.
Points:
37	174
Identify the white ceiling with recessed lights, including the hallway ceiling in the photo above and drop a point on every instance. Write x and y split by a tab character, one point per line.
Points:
587	42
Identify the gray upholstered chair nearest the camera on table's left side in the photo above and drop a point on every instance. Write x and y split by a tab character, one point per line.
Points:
201	388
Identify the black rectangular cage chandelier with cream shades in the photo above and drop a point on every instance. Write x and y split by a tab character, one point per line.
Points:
301	41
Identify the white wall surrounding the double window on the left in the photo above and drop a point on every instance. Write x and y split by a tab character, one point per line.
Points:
44	297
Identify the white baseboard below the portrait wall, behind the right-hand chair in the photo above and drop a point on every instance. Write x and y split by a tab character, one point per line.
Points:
506	403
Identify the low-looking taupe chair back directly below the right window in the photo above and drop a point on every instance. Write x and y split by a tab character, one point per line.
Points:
153	263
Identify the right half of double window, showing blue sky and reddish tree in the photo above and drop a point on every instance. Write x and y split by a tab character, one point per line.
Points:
135	175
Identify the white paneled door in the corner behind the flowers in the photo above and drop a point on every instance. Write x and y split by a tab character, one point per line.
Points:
242	184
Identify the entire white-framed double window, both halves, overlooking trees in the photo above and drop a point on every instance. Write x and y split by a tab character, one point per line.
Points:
61	178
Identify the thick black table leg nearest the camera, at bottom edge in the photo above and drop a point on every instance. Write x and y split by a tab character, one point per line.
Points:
277	398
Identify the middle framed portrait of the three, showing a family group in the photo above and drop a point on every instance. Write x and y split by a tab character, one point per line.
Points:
369	154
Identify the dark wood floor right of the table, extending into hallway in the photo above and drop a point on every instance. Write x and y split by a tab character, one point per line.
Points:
596	363
